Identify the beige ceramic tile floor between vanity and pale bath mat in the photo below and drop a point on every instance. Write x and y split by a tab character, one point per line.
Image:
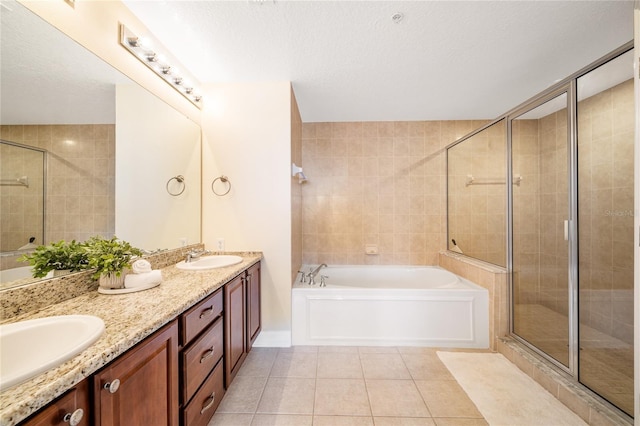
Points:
333	385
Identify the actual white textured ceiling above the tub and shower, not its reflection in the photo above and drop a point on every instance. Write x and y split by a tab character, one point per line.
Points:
349	61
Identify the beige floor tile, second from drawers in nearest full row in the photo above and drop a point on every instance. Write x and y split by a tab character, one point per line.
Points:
287	396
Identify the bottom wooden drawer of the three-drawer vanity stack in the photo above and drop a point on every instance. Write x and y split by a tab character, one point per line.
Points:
206	400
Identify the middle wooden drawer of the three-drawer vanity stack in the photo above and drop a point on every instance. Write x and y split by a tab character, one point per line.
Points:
200	358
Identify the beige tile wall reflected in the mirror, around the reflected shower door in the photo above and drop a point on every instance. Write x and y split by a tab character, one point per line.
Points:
80	177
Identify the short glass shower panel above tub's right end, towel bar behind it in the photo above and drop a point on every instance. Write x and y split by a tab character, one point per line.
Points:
477	194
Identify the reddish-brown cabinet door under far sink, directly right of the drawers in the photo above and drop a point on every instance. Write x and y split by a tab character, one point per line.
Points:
235	327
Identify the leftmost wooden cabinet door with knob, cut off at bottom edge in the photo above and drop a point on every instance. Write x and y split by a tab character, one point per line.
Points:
72	408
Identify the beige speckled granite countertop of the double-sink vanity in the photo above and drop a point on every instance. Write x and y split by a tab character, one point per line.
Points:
129	319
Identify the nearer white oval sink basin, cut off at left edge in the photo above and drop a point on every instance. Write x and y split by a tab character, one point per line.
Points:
29	348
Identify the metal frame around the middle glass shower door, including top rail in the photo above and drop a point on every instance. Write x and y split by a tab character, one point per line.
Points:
568	85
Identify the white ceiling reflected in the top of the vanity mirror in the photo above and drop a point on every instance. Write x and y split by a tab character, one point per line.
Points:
45	77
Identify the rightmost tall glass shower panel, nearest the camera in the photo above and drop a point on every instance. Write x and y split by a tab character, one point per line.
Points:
605	113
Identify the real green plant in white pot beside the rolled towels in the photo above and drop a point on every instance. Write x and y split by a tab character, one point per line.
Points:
110	258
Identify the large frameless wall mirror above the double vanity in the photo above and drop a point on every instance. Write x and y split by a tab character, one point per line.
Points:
111	149
